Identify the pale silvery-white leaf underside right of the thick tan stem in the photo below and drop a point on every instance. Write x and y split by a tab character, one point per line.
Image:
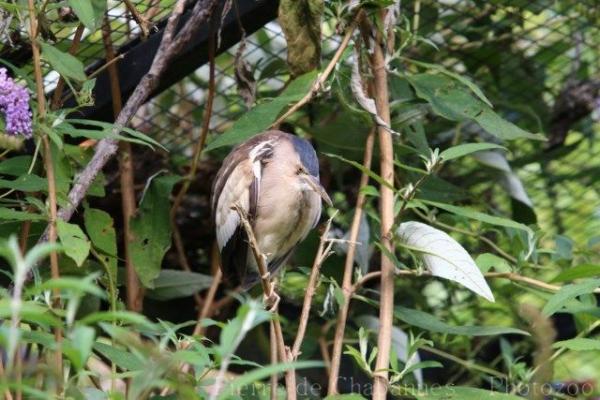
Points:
444	256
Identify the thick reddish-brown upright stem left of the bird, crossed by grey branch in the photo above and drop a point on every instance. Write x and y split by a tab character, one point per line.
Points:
126	175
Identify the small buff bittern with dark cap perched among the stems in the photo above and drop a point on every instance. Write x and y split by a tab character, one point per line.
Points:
274	178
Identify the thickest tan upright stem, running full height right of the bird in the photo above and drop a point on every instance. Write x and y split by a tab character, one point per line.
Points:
386	209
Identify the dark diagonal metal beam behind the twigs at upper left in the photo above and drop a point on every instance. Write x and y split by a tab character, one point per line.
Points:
138	55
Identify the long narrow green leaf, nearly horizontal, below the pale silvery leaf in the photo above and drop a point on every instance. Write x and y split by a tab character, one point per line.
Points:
430	323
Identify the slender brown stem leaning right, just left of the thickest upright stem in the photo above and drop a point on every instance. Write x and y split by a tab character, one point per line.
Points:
348	269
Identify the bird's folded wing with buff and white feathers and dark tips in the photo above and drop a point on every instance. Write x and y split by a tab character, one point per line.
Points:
238	182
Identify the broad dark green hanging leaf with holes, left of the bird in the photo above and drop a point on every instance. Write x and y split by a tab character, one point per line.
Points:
151	229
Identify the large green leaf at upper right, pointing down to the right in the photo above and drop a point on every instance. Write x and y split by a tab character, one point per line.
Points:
452	100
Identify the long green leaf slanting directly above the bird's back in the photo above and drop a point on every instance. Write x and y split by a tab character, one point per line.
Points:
263	115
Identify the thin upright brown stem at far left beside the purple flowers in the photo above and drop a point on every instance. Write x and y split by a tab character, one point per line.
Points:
49	165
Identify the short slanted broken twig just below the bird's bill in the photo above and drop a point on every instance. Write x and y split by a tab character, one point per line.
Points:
323	252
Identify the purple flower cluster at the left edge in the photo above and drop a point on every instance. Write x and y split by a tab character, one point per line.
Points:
14	104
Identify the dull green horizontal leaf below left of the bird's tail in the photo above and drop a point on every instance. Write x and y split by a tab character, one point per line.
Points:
174	284
